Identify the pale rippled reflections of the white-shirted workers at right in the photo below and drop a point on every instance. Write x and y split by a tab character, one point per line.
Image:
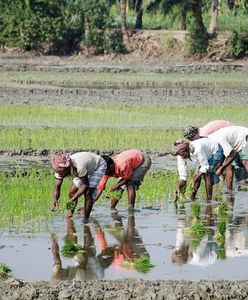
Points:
227	235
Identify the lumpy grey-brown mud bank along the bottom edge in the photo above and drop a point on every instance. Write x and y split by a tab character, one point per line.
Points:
123	289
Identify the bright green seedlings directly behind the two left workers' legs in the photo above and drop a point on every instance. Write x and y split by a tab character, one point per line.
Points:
26	199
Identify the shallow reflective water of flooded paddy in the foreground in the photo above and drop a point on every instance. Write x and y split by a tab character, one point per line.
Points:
112	238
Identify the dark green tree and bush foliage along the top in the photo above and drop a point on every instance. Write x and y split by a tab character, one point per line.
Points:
64	26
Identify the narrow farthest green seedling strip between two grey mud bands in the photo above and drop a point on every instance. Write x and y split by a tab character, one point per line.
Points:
108	79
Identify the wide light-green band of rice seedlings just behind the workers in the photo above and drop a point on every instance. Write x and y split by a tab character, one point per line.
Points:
153	128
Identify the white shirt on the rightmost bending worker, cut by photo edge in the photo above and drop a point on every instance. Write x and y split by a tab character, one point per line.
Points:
230	138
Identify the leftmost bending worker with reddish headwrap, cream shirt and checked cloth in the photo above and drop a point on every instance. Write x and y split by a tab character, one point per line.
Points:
87	170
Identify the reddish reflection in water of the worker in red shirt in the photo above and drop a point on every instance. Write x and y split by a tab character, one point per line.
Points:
130	245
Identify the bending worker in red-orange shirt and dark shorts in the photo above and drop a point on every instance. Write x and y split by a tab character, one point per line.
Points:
132	166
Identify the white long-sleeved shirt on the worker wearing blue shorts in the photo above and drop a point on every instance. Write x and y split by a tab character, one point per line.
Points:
204	148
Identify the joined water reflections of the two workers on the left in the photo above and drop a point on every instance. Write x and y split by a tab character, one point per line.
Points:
87	264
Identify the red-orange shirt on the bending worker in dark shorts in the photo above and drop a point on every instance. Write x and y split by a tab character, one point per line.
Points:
125	163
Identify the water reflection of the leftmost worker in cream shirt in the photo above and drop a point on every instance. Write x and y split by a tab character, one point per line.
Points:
86	265
